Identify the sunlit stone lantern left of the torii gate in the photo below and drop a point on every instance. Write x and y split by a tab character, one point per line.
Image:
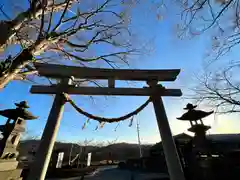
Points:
11	132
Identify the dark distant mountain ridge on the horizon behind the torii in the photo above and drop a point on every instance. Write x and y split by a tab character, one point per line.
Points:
118	151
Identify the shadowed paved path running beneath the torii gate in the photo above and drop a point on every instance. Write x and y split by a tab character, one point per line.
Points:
112	173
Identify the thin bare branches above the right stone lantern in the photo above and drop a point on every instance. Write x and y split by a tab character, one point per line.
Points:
219	90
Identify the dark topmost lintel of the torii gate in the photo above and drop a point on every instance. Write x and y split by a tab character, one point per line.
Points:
62	71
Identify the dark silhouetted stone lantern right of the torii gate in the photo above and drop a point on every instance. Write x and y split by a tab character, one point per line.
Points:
199	146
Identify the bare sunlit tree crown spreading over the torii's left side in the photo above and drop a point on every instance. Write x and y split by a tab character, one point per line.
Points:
73	37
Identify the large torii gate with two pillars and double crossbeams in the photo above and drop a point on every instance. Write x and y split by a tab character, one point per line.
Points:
64	73
